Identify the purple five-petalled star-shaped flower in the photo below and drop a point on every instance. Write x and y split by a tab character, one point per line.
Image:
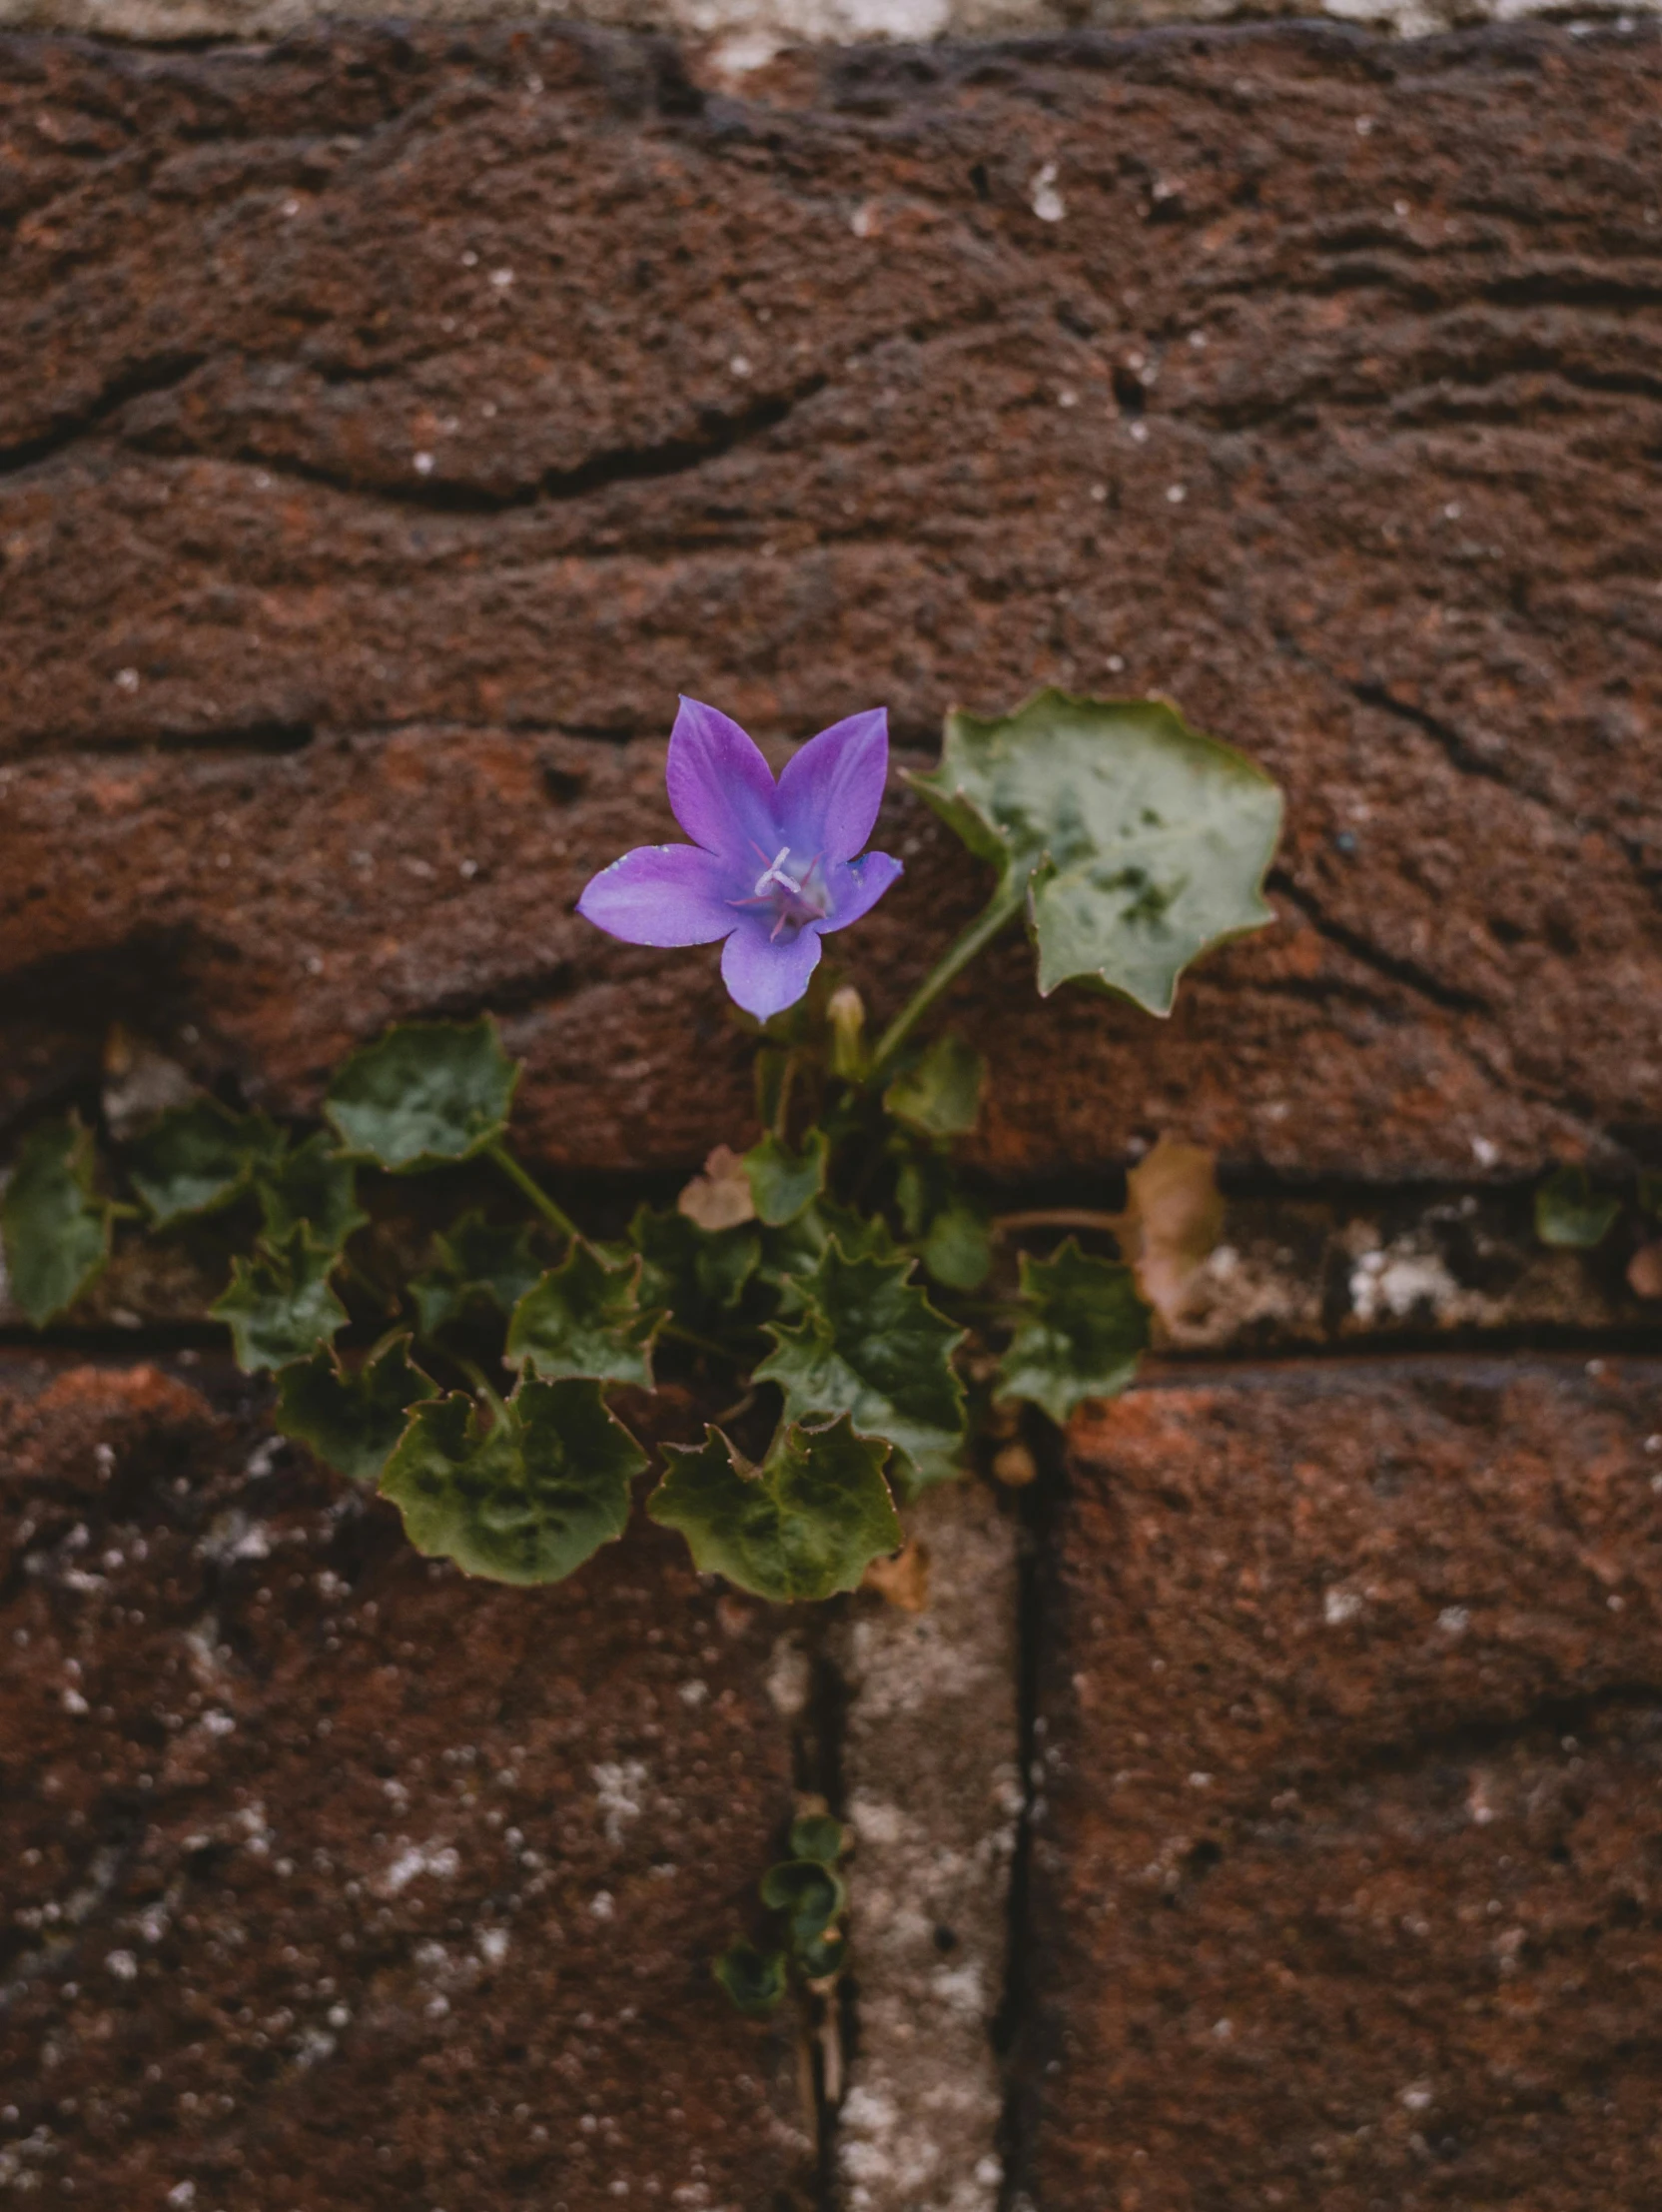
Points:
772	866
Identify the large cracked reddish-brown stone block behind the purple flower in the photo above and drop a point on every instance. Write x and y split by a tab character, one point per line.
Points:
397	419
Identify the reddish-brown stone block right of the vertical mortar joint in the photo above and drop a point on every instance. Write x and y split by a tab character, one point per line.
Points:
1354	1731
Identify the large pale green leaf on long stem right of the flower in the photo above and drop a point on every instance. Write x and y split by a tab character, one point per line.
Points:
1139	839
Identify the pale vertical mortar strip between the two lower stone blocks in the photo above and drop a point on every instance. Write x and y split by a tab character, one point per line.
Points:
934	1793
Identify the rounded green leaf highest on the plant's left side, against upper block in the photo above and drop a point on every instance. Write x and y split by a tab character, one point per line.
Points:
425	1094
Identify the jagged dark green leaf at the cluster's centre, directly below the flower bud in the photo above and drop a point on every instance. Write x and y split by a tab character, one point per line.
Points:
874	1348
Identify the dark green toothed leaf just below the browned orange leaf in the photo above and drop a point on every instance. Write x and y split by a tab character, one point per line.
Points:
1082	1333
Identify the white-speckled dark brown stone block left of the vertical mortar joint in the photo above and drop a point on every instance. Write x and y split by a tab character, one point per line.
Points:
333	1879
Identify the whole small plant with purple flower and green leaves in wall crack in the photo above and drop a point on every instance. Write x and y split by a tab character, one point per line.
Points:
839	1286
